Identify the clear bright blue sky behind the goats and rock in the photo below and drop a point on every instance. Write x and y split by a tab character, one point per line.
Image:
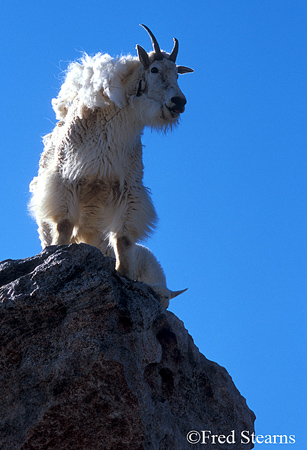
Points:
229	184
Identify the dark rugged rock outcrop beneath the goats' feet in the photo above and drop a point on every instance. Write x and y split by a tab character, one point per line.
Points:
90	360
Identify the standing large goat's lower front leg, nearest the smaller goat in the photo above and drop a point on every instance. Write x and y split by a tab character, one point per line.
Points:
124	252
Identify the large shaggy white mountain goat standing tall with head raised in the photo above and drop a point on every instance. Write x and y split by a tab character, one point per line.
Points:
89	185
